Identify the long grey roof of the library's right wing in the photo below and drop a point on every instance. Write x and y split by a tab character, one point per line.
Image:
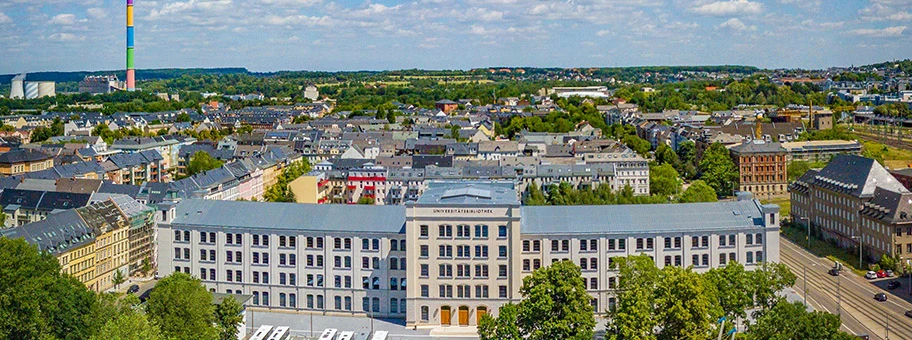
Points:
626	219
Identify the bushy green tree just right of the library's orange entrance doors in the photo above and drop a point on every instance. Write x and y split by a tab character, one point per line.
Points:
555	305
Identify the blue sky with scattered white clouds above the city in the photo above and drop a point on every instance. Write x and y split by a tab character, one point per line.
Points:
269	35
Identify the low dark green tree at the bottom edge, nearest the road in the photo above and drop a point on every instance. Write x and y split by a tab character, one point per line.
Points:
791	320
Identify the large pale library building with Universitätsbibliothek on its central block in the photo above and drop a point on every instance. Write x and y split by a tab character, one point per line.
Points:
460	251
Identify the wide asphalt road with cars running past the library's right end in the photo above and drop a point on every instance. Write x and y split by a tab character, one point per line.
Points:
849	295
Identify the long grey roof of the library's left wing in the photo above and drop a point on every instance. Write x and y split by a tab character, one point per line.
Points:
291	216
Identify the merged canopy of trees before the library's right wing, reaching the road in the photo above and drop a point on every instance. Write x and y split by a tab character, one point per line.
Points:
678	303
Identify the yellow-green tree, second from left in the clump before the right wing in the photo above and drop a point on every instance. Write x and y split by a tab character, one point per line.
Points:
687	307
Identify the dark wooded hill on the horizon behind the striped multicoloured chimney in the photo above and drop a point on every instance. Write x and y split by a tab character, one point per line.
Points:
166	73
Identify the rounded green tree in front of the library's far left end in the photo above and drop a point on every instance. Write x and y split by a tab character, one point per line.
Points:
182	308
